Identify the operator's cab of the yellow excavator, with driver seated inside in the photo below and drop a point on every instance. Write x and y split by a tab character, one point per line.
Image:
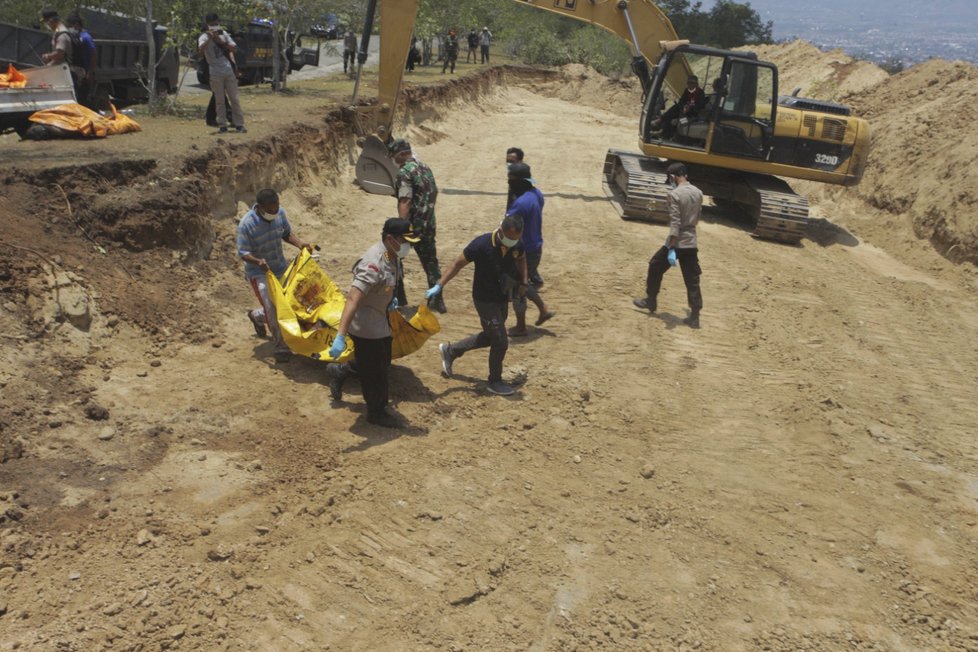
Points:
729	110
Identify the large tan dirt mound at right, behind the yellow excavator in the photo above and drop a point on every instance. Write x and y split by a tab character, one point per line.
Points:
924	146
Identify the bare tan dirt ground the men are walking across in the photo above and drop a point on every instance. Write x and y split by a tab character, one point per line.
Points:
799	474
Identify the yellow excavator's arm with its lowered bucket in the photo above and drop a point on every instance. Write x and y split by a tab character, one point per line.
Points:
638	22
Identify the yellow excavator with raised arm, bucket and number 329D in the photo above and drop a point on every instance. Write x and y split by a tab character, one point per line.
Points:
736	146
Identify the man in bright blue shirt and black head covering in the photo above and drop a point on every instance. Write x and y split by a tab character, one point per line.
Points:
528	204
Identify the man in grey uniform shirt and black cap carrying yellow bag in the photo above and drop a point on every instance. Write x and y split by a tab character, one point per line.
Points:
372	294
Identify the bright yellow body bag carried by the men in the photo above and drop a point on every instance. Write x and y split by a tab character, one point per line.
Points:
309	307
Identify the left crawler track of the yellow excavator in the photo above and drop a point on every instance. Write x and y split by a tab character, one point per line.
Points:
636	185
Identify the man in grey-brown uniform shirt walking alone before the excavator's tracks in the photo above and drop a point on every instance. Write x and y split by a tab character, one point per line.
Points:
685	205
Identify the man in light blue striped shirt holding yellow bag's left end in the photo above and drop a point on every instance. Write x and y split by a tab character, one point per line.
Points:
260	235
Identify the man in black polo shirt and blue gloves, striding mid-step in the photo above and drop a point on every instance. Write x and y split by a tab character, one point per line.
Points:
500	271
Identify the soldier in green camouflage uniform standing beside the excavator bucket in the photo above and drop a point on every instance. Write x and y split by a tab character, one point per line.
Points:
416	196
